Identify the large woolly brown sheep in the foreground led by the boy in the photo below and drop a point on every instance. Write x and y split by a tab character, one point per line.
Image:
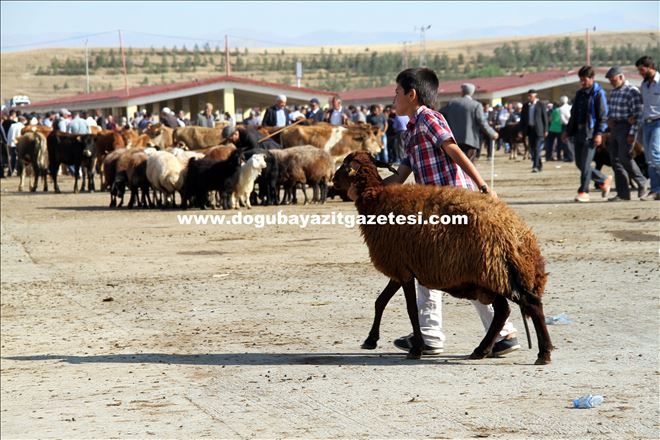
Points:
493	258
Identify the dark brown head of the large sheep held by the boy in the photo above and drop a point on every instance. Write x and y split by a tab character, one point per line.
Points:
357	173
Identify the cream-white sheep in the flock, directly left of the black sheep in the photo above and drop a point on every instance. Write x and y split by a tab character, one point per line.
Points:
165	173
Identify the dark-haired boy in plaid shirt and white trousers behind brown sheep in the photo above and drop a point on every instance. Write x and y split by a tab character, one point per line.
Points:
431	153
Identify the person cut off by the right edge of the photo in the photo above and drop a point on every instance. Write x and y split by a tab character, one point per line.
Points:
651	122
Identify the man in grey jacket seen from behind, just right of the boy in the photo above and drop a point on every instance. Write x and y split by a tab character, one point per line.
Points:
466	117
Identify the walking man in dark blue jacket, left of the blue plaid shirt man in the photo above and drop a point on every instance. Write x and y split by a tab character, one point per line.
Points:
587	124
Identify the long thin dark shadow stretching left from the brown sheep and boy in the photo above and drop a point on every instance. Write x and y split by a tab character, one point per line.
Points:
247	359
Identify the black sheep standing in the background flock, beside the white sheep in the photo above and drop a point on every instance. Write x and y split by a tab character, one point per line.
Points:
206	175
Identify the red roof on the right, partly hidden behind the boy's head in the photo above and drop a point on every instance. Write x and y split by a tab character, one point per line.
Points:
453	87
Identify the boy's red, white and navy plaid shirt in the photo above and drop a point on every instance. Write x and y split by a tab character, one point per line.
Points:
429	162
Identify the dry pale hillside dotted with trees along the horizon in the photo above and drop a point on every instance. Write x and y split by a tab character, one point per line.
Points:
50	73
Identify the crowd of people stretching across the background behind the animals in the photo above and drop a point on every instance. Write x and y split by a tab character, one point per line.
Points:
552	131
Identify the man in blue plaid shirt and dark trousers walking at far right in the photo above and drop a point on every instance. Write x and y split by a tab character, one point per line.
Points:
624	105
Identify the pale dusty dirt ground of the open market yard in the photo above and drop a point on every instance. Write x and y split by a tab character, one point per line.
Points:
125	324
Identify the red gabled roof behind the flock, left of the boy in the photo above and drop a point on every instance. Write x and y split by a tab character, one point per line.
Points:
157	89
